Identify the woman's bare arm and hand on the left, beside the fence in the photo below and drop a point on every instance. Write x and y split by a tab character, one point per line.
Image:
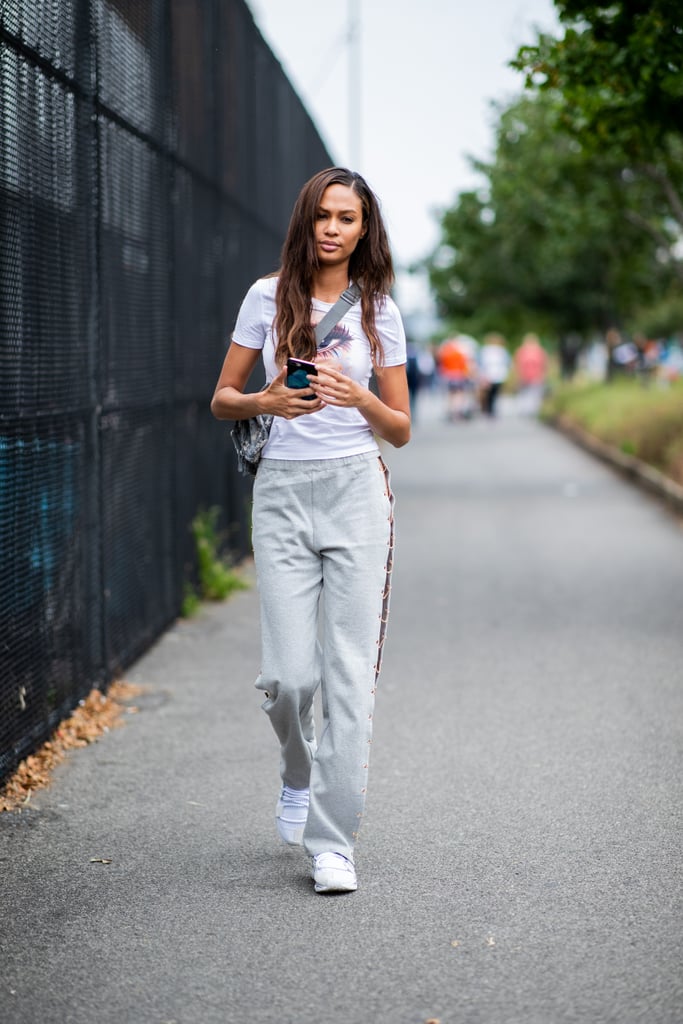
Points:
230	403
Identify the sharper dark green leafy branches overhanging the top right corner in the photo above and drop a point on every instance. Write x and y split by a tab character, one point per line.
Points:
618	76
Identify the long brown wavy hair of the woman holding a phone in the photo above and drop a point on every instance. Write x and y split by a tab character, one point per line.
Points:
371	268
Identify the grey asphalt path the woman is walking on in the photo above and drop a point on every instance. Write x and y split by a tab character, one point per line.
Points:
521	858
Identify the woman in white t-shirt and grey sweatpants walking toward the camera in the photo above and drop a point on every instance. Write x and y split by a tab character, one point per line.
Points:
323	517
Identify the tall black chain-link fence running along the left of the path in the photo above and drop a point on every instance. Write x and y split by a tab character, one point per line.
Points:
150	155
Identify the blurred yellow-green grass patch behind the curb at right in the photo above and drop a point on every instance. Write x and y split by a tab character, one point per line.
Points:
646	421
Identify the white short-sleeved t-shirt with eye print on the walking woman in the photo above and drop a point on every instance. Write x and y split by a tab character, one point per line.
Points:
331	433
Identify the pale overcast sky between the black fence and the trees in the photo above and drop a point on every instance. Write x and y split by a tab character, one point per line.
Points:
423	79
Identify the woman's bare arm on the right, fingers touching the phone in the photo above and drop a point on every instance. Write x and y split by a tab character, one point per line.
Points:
389	415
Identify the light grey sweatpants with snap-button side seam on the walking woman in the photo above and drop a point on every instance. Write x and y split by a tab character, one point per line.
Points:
323	535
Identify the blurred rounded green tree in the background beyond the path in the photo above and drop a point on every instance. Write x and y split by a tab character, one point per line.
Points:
543	244
